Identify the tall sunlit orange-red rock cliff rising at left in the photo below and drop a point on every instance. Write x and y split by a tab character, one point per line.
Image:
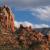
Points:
6	20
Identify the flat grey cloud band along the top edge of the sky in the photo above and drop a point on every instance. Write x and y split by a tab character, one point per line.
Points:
28	3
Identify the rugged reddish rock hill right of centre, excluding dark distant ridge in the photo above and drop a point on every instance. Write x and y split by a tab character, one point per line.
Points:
32	38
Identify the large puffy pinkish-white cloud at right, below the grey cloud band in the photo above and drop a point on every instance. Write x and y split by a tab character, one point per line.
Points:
42	13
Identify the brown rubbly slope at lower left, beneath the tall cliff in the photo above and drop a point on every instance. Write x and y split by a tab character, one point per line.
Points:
8	39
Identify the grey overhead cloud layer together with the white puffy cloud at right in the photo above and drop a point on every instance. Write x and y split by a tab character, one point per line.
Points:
41	8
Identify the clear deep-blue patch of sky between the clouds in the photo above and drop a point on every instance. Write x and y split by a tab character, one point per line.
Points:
27	16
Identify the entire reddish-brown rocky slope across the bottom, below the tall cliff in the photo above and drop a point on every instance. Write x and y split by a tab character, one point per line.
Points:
25	38
